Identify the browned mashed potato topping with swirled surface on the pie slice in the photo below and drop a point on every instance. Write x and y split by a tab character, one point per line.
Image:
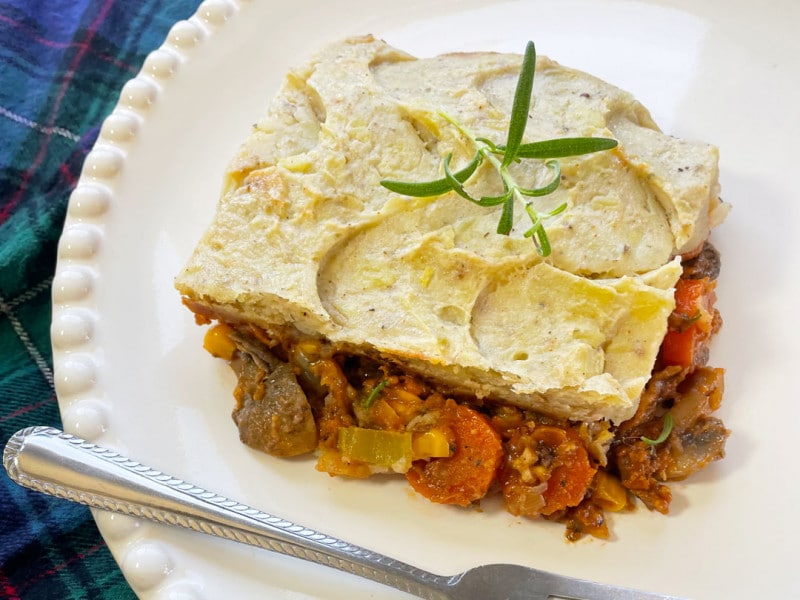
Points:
306	238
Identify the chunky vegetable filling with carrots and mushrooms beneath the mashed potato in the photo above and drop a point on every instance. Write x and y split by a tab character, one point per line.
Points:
363	416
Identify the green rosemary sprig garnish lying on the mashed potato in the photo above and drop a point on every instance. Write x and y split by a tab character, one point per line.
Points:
512	151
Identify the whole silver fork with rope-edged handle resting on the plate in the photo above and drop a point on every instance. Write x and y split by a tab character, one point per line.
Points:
50	461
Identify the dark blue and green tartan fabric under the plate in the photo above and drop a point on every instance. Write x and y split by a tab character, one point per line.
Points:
62	64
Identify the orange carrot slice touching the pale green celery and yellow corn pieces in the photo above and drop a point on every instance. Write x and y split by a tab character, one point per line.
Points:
465	476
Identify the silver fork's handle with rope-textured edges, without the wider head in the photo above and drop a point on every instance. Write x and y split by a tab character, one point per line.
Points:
50	461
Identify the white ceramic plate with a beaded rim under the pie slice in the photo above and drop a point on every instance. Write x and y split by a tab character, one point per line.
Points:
131	372
